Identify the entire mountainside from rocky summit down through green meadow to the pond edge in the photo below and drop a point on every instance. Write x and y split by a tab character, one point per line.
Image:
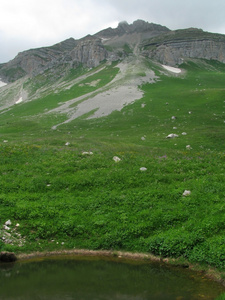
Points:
116	142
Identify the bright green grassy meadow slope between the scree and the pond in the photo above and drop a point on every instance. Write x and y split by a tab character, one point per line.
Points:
63	199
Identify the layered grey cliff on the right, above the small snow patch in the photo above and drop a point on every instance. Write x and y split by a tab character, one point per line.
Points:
172	49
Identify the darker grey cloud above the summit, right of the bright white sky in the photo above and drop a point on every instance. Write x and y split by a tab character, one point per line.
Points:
176	14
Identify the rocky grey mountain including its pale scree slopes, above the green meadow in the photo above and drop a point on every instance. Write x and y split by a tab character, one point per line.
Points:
64	67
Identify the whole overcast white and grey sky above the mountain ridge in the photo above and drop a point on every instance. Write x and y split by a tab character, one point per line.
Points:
26	24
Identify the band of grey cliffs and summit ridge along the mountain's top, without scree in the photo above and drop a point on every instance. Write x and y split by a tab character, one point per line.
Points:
140	38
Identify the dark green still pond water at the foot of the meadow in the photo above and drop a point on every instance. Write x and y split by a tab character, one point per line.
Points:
100	279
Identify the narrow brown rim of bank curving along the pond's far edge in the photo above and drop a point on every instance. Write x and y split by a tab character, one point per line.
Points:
209	272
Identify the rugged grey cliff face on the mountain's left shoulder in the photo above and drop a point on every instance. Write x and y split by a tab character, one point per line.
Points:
88	51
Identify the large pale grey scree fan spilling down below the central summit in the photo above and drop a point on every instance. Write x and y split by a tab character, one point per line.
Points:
121	91
